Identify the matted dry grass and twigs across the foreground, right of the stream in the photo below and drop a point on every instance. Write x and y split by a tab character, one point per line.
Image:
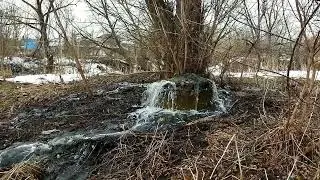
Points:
232	152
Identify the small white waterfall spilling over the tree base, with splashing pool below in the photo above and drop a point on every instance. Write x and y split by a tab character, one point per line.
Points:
159	107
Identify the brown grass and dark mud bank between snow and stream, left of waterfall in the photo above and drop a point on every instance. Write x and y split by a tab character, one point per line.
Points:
29	110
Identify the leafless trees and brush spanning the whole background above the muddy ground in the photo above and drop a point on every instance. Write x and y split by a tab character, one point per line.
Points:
166	35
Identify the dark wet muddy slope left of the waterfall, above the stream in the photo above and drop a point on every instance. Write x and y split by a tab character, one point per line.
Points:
107	109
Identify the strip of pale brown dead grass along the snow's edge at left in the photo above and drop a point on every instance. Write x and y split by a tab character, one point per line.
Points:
14	96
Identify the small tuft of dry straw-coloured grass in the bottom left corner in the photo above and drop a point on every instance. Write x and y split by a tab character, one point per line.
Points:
22	171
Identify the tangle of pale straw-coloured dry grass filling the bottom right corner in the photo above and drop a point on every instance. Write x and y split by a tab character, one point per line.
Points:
263	150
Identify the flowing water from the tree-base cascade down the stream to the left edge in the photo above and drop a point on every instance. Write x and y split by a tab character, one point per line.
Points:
66	152
